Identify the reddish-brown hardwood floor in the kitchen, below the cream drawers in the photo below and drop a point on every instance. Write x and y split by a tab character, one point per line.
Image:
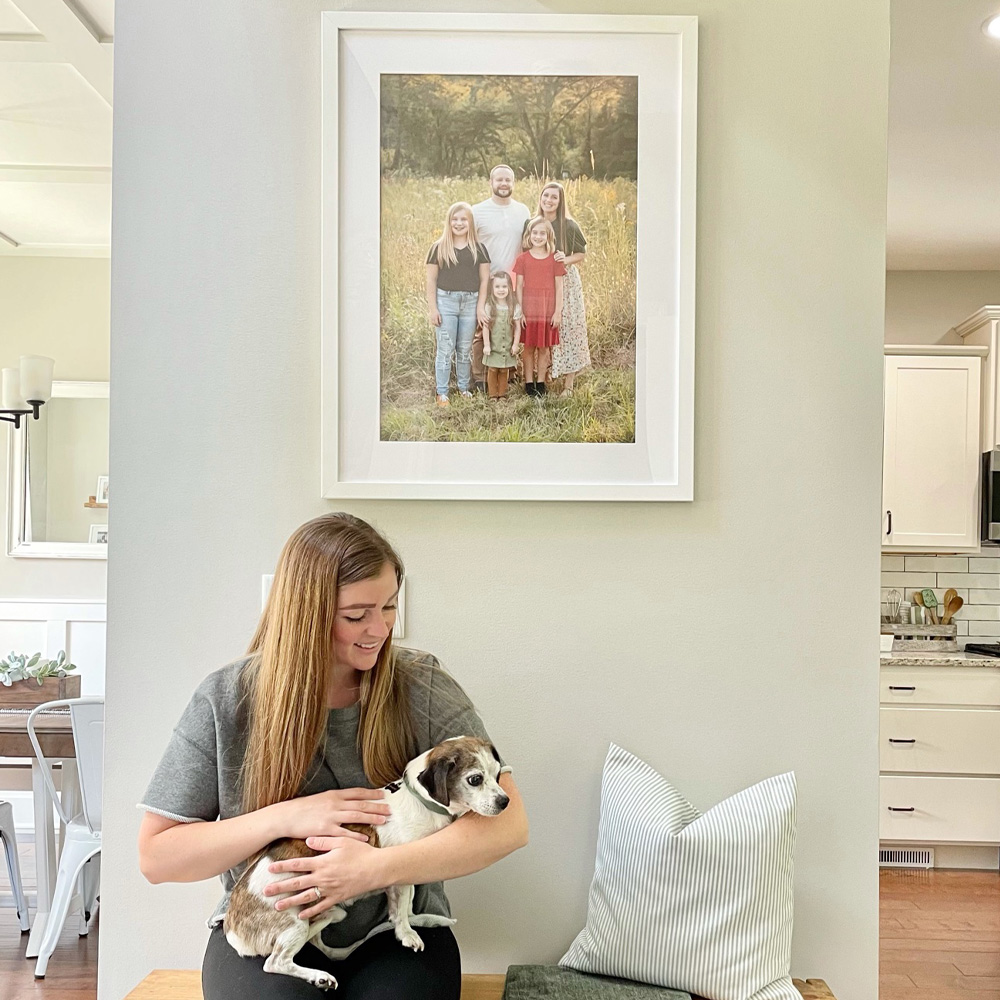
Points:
940	935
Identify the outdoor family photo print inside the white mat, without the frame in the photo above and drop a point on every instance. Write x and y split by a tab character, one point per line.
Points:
541	171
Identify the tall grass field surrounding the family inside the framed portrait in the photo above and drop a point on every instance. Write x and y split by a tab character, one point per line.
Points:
602	407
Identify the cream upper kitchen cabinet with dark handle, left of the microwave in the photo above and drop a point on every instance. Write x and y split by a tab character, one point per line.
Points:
931	458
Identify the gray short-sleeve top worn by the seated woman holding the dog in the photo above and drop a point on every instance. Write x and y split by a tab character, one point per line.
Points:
198	777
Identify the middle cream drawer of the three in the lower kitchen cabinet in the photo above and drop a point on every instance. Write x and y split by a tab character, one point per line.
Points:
940	740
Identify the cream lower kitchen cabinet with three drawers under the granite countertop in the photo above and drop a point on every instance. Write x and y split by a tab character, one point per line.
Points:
939	762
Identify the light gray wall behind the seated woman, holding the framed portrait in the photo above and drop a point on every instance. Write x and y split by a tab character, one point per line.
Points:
723	640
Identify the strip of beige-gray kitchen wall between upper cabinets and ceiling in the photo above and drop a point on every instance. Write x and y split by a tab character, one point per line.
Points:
921	307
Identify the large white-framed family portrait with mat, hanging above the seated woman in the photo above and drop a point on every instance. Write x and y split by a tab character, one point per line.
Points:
508	256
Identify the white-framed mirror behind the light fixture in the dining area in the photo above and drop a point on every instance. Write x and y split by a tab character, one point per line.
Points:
57	477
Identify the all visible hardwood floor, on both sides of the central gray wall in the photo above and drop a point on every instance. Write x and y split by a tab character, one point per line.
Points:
940	940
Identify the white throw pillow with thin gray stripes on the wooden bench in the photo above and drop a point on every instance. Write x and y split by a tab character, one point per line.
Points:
691	901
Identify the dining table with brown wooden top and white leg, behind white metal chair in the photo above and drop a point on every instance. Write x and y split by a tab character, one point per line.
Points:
55	736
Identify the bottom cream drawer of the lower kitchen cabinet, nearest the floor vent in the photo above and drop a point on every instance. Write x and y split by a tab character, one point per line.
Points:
944	810
